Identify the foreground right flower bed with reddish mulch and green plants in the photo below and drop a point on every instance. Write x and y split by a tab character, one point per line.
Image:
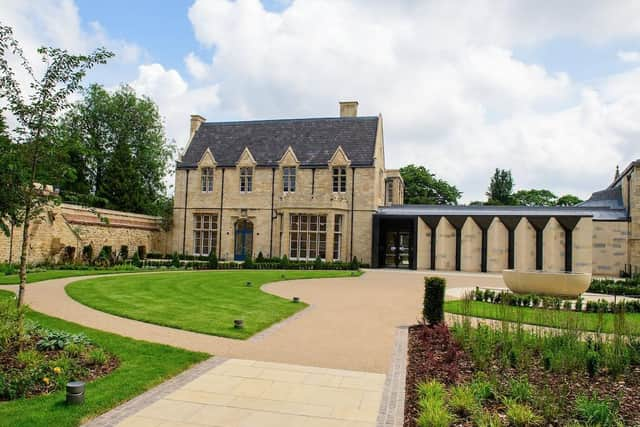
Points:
500	377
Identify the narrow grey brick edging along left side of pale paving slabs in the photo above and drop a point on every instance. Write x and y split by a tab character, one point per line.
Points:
127	409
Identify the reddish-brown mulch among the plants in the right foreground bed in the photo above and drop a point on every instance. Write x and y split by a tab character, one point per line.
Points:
434	354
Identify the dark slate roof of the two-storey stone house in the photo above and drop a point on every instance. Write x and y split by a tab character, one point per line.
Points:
313	141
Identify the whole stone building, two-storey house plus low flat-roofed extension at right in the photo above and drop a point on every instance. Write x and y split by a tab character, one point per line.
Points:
310	188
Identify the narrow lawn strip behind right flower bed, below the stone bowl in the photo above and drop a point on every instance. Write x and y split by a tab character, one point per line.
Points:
536	316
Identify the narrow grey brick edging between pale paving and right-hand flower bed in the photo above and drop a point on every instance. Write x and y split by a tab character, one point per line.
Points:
391	413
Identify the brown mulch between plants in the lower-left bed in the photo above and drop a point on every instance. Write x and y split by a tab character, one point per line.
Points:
86	370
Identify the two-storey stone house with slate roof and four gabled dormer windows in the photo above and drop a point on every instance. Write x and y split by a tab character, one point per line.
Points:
304	188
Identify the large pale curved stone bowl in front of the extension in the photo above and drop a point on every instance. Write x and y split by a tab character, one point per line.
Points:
546	283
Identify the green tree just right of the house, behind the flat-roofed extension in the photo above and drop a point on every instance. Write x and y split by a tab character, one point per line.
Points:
421	187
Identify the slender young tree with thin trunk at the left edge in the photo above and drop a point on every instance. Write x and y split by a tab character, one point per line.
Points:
34	133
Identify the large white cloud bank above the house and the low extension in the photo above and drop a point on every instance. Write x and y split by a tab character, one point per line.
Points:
453	96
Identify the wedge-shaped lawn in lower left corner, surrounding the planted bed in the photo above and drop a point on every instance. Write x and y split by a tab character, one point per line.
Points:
143	365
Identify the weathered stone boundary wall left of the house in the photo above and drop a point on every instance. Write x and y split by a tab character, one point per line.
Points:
75	226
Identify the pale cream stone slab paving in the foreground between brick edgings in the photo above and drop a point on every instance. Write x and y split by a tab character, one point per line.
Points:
237	392
